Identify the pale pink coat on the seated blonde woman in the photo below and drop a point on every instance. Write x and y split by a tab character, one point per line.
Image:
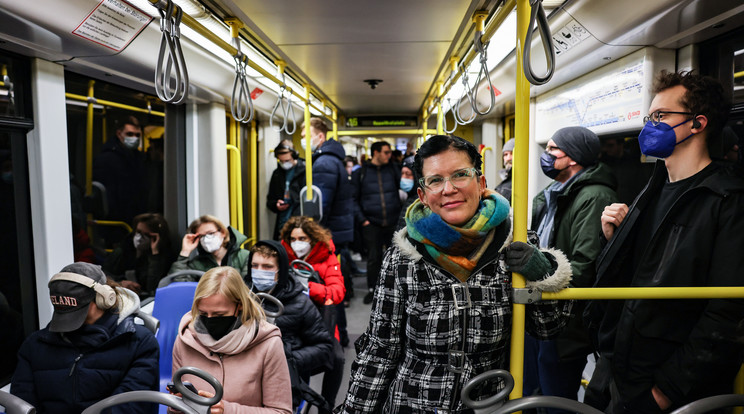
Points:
249	362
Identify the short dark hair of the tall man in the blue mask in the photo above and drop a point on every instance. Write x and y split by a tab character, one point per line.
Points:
704	96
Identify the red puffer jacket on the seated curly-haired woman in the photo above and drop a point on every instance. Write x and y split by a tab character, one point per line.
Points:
328	269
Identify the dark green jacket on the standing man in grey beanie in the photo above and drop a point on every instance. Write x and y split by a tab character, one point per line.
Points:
577	221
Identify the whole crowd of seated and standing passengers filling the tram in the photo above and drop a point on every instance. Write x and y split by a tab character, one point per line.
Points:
441	292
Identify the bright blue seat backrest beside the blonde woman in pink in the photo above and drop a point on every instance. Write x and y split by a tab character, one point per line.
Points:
171	303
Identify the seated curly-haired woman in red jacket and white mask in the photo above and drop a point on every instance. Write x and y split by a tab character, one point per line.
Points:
305	239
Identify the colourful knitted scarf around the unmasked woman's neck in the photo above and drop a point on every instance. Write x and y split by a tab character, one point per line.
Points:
456	249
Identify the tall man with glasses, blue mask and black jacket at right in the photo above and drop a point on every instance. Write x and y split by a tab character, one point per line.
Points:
684	229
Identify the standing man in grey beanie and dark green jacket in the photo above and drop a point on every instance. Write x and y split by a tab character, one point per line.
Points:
565	216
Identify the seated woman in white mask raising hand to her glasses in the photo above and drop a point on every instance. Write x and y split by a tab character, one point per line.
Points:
216	245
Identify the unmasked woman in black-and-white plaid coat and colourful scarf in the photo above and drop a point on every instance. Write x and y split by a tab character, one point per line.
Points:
442	309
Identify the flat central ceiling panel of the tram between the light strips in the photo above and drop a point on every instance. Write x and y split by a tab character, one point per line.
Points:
338	44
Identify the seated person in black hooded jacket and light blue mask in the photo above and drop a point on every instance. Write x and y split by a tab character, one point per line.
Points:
305	337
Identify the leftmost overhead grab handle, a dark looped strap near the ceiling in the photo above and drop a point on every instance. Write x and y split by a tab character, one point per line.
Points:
171	75
